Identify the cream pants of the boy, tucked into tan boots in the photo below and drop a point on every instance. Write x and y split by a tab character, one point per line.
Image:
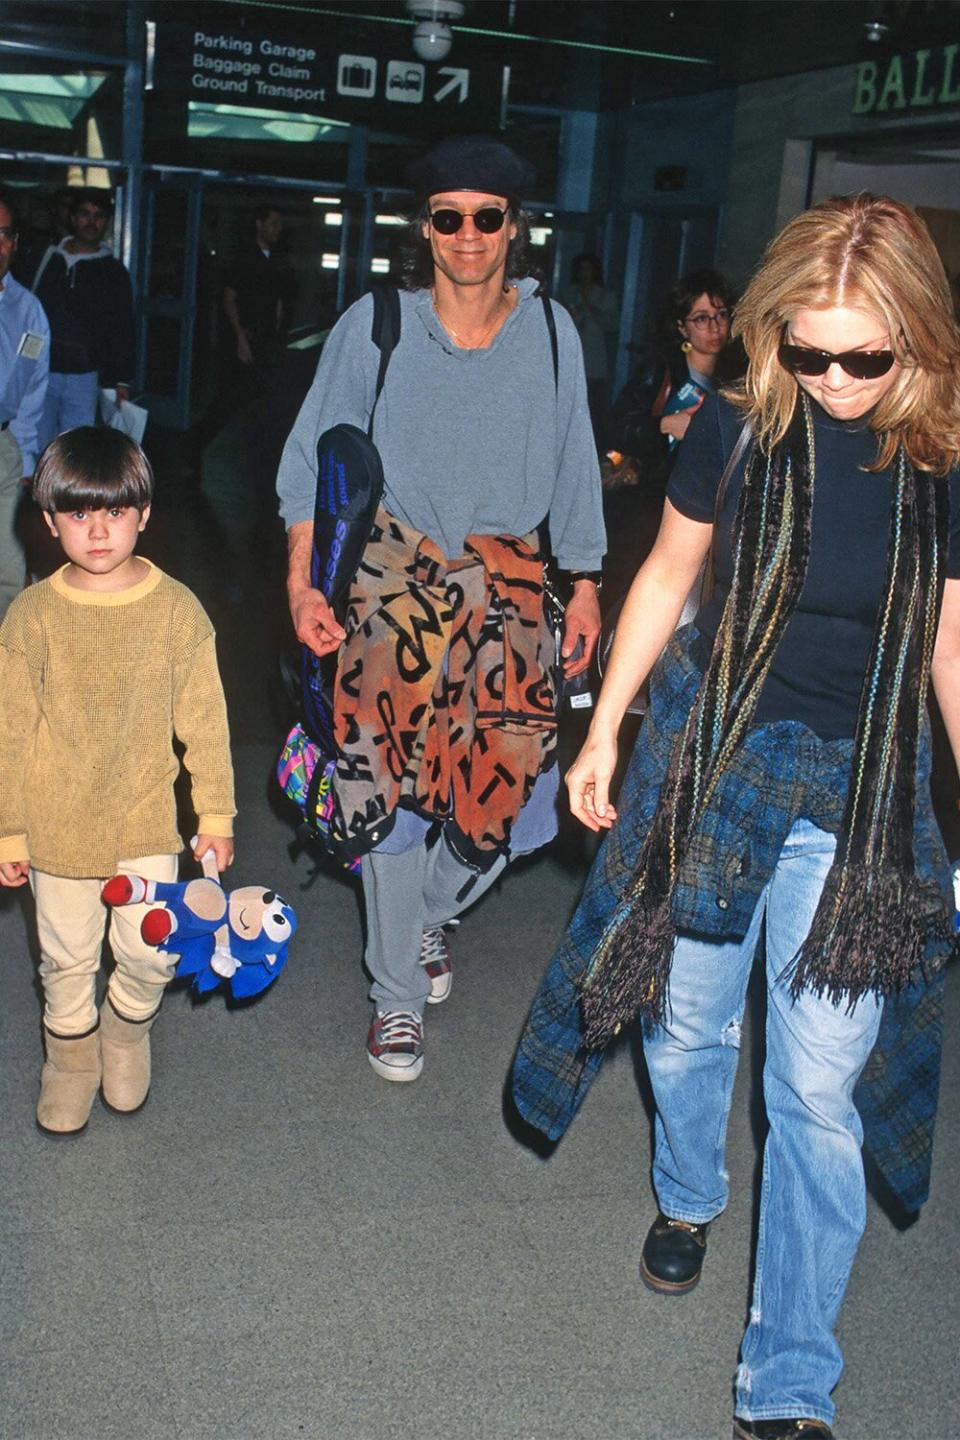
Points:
71	921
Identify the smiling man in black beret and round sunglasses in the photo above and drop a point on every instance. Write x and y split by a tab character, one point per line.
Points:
444	705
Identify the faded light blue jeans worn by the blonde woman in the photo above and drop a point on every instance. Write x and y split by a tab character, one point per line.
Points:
812	1203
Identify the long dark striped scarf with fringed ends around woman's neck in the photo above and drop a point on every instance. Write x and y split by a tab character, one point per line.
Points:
873	918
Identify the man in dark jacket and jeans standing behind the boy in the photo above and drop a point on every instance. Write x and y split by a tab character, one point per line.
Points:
89	300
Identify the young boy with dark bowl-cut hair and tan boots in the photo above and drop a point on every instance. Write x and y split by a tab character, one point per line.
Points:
100	667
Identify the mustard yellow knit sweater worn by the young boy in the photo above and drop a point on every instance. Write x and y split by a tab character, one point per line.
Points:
93	690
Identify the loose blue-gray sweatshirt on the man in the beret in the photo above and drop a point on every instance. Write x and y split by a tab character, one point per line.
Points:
473	441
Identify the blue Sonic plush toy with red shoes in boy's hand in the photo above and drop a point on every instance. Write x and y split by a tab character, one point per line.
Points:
240	938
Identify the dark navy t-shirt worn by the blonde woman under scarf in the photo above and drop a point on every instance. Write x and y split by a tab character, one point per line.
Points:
818	672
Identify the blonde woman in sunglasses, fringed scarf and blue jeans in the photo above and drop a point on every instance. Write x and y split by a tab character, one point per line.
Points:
781	788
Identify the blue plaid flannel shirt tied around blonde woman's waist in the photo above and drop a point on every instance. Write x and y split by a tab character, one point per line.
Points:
782	773
